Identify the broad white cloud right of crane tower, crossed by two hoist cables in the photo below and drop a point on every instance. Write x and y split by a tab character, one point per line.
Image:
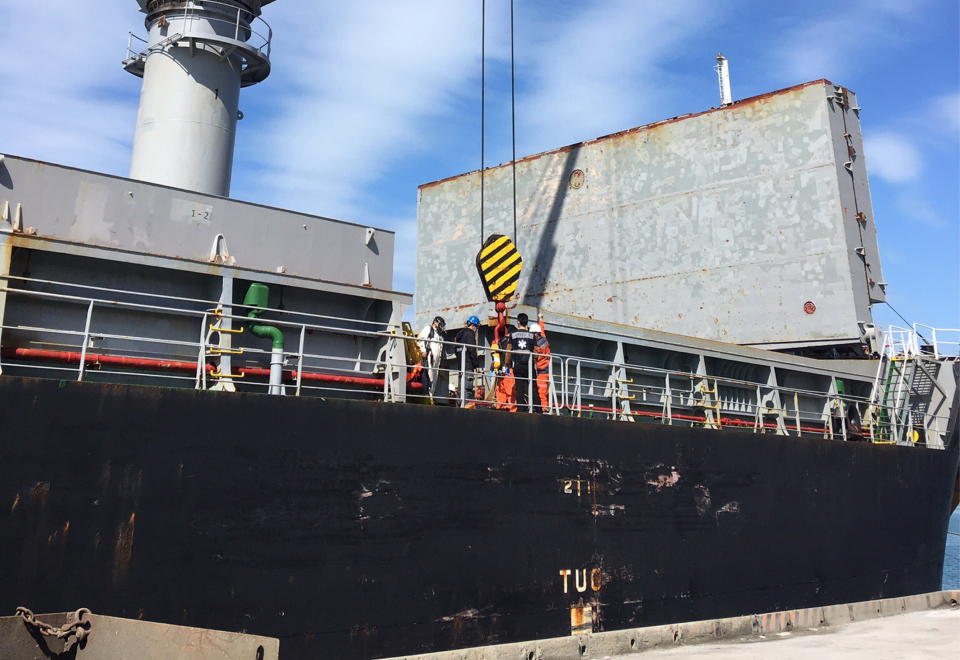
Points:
356	86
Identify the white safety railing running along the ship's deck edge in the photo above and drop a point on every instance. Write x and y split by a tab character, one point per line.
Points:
384	363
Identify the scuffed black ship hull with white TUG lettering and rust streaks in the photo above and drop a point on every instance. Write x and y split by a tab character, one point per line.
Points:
363	530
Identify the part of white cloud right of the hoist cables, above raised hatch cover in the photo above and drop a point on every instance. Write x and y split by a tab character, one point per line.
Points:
602	69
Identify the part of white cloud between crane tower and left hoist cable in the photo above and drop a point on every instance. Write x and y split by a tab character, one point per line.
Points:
355	86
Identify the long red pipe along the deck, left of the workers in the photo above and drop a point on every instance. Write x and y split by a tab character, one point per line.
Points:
71	357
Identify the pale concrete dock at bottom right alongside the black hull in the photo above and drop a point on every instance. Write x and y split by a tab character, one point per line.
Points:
920	626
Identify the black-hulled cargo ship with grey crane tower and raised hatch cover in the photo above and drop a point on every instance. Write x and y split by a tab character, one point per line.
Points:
215	416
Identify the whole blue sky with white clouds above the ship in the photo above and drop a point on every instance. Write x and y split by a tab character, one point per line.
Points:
371	98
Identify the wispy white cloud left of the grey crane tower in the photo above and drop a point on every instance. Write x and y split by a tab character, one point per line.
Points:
64	95
